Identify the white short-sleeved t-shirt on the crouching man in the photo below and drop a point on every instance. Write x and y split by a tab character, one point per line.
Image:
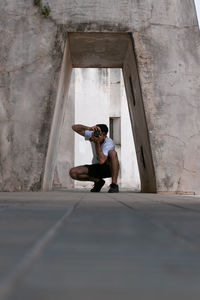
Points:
105	147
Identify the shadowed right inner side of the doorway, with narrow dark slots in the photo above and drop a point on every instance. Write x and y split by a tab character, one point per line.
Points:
138	122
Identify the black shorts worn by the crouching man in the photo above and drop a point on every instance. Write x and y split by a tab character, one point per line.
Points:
99	171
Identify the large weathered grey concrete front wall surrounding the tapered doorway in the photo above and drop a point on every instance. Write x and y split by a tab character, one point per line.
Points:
168	53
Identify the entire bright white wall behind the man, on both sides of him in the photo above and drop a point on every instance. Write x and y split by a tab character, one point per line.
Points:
100	94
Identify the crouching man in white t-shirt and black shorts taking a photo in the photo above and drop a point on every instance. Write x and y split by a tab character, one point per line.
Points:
105	162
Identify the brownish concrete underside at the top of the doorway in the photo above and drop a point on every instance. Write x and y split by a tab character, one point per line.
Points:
98	50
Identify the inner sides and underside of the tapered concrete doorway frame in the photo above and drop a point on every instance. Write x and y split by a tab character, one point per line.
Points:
103	50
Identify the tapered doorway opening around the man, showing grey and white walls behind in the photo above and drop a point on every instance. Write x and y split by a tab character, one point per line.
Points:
96	96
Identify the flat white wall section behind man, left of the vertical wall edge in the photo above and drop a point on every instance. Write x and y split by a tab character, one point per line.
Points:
91	107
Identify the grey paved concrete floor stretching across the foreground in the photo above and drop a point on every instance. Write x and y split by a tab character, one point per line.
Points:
80	245
